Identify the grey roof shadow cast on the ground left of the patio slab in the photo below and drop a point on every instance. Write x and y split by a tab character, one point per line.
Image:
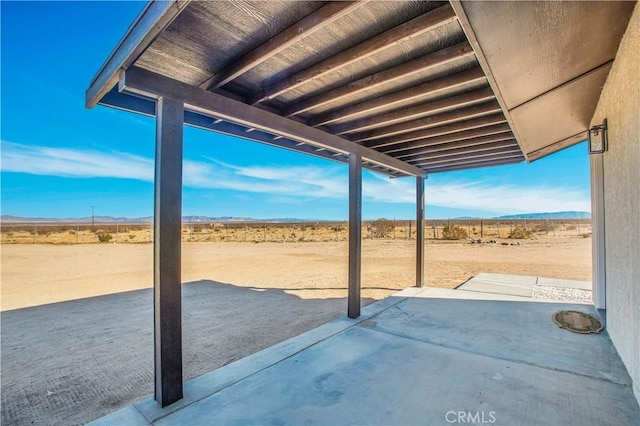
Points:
72	362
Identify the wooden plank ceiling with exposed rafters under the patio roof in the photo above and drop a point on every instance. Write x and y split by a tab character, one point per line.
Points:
398	77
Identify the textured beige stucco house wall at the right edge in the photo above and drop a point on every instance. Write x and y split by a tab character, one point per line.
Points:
620	105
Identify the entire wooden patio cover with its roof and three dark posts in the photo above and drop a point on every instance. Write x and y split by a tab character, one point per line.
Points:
404	88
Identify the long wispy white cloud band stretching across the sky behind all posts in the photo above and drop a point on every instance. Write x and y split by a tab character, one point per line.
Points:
292	181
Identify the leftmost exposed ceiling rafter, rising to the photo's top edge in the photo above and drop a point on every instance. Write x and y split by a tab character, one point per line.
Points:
305	27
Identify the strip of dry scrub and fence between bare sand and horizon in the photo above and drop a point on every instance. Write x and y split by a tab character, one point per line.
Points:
118	233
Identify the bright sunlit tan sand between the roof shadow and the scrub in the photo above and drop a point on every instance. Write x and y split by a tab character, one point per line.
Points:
37	274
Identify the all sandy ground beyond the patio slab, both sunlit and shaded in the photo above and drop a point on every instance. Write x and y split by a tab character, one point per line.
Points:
77	320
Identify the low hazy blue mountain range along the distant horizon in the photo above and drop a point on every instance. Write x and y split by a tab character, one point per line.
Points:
208	219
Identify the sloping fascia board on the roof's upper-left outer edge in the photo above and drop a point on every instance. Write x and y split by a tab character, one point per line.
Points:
152	20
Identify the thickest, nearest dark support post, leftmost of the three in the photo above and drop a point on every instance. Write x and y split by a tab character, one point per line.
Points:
167	277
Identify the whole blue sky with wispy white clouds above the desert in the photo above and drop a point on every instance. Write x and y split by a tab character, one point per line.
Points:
58	158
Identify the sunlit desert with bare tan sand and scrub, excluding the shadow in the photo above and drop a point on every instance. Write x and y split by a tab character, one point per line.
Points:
68	262
